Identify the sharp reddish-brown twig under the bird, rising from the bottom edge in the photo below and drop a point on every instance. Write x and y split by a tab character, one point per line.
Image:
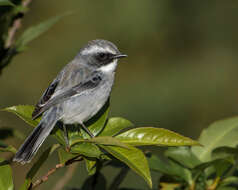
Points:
53	170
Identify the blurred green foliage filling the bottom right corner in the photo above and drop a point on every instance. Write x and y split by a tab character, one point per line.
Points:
211	166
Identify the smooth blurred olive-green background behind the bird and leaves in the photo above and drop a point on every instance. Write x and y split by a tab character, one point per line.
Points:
181	72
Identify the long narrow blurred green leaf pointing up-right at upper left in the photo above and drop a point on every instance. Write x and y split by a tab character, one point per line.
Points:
35	31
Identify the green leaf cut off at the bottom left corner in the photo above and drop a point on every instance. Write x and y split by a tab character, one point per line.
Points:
6	182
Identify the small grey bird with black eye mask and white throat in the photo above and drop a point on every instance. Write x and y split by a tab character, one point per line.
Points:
77	94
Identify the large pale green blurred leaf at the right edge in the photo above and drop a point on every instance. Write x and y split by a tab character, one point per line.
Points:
220	133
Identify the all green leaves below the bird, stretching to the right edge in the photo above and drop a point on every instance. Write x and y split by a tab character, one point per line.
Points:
210	166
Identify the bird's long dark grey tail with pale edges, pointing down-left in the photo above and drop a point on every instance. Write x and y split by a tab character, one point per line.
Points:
33	142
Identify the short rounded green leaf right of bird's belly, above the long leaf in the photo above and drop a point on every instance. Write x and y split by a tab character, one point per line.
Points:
115	125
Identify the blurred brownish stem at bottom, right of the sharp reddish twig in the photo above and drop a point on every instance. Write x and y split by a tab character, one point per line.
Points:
65	179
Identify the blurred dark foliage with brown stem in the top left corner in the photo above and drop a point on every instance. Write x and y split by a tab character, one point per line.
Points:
10	22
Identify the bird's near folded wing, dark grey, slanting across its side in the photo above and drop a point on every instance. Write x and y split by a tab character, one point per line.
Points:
88	84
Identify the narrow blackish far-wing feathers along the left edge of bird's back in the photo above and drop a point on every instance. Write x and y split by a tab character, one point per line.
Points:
45	98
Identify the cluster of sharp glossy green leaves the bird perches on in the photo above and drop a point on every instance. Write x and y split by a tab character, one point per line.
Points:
120	145
